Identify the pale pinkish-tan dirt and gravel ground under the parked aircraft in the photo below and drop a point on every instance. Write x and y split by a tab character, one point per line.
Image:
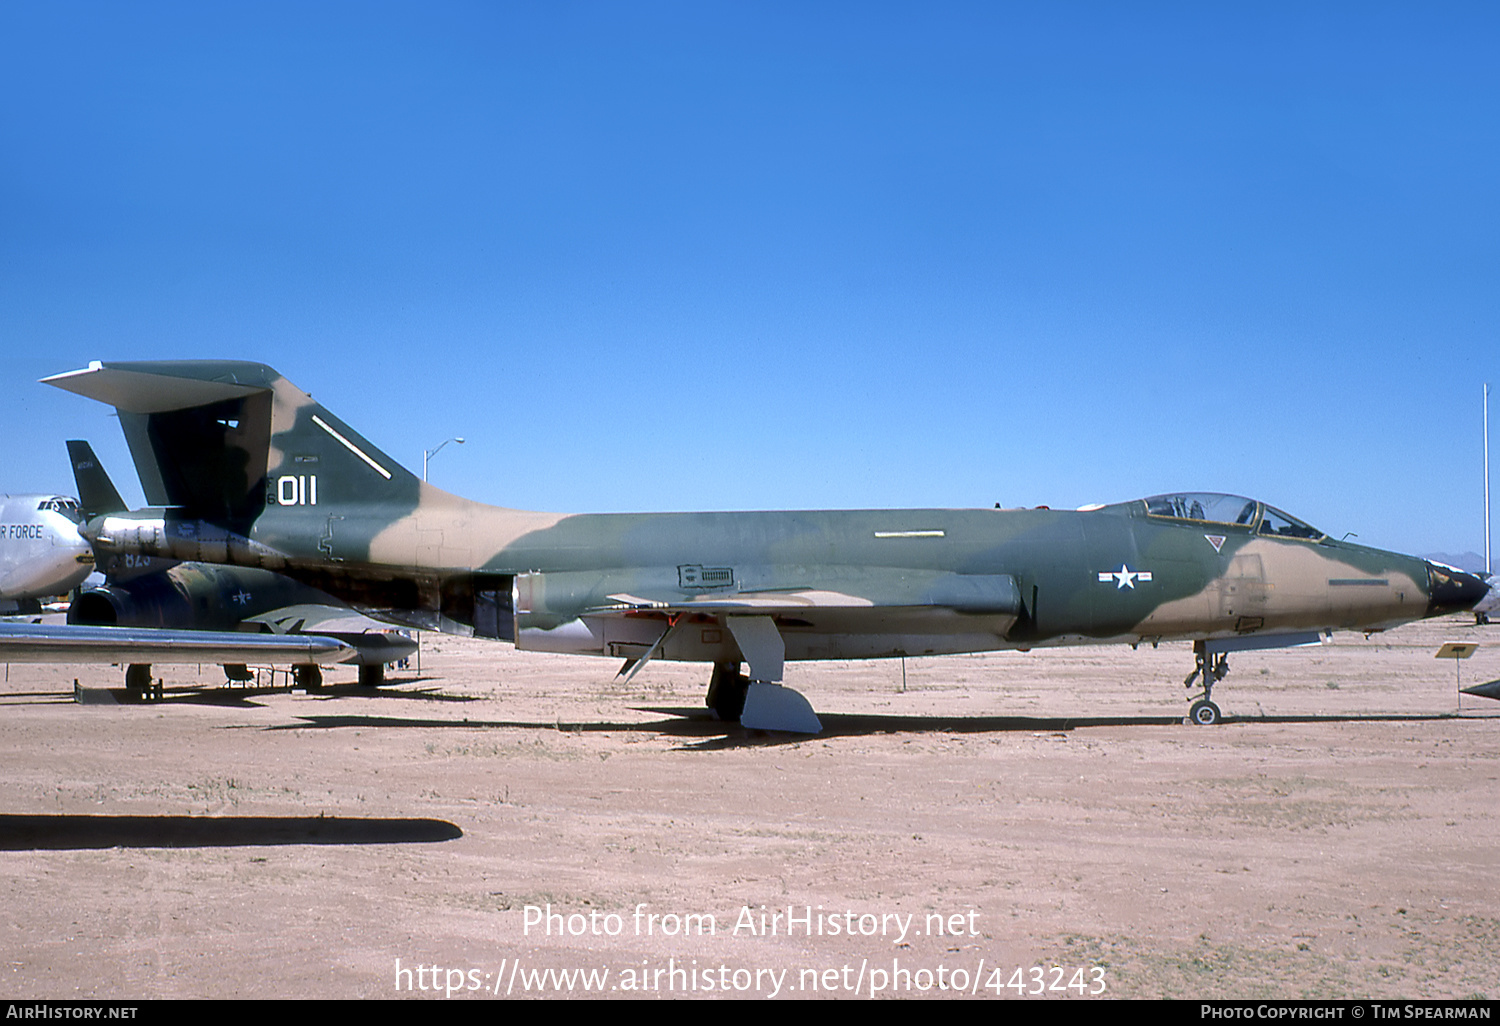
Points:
1030	820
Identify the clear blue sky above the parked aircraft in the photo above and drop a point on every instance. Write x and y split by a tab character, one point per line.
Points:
763	256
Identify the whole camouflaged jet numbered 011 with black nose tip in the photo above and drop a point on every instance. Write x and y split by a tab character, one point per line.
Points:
245	469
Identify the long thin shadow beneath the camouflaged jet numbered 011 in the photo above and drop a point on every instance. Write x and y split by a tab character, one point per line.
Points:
701	731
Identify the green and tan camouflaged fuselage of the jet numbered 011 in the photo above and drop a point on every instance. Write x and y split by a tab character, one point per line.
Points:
839	584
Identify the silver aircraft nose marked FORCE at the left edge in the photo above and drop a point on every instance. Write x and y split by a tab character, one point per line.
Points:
41	551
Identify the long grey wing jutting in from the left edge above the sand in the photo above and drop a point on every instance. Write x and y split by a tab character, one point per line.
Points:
77	644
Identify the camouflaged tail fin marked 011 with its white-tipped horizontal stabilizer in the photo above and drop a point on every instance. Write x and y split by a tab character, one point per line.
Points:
223	442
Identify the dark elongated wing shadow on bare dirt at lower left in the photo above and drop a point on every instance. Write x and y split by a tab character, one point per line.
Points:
62	833
